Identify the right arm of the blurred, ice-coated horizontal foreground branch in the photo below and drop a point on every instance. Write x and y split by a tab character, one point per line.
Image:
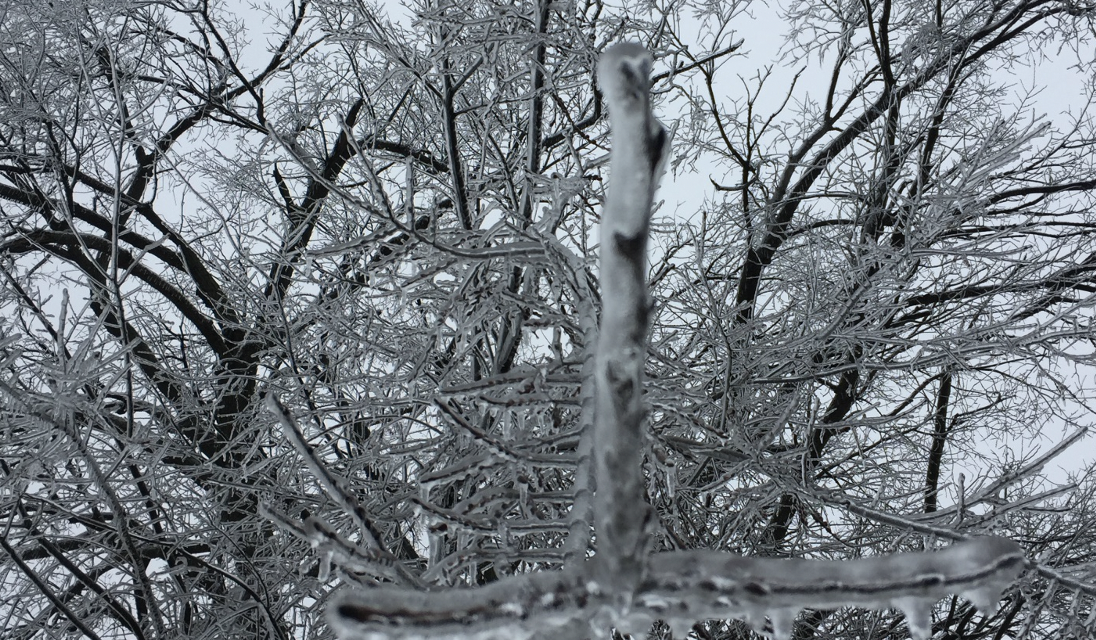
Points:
686	587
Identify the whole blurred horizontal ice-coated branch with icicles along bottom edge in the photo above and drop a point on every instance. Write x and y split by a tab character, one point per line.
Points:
683	588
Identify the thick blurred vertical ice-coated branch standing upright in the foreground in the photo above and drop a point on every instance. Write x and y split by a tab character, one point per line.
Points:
638	145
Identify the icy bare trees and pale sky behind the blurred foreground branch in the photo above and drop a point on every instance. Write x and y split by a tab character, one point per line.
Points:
863	327
